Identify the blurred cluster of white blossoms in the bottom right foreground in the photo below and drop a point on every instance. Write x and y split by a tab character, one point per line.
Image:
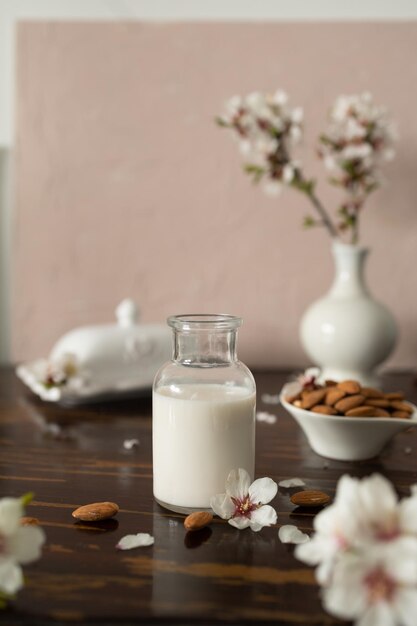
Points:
365	546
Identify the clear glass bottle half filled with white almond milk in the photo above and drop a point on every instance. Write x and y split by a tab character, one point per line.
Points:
203	413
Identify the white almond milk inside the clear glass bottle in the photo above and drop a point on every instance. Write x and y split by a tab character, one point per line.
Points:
200	433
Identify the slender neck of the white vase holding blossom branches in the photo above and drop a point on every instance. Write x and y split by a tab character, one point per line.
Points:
349	270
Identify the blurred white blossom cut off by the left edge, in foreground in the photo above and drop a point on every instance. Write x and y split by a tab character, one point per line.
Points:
19	545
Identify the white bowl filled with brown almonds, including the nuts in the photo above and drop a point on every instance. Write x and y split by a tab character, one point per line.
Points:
345	421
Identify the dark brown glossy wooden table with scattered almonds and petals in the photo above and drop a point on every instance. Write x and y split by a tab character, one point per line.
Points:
70	457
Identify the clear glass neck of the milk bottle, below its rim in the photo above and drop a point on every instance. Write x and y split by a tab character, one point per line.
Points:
205	348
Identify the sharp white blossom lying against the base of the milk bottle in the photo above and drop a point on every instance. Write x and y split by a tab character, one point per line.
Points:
246	505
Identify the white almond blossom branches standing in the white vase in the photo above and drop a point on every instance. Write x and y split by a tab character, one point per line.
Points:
359	138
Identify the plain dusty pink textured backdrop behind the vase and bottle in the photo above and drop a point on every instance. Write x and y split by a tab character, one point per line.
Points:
124	186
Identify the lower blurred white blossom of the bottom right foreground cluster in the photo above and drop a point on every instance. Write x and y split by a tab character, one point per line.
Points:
377	586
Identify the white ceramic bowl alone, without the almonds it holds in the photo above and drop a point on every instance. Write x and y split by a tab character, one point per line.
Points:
346	438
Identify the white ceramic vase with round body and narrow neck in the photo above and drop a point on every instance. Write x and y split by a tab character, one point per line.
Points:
347	333
